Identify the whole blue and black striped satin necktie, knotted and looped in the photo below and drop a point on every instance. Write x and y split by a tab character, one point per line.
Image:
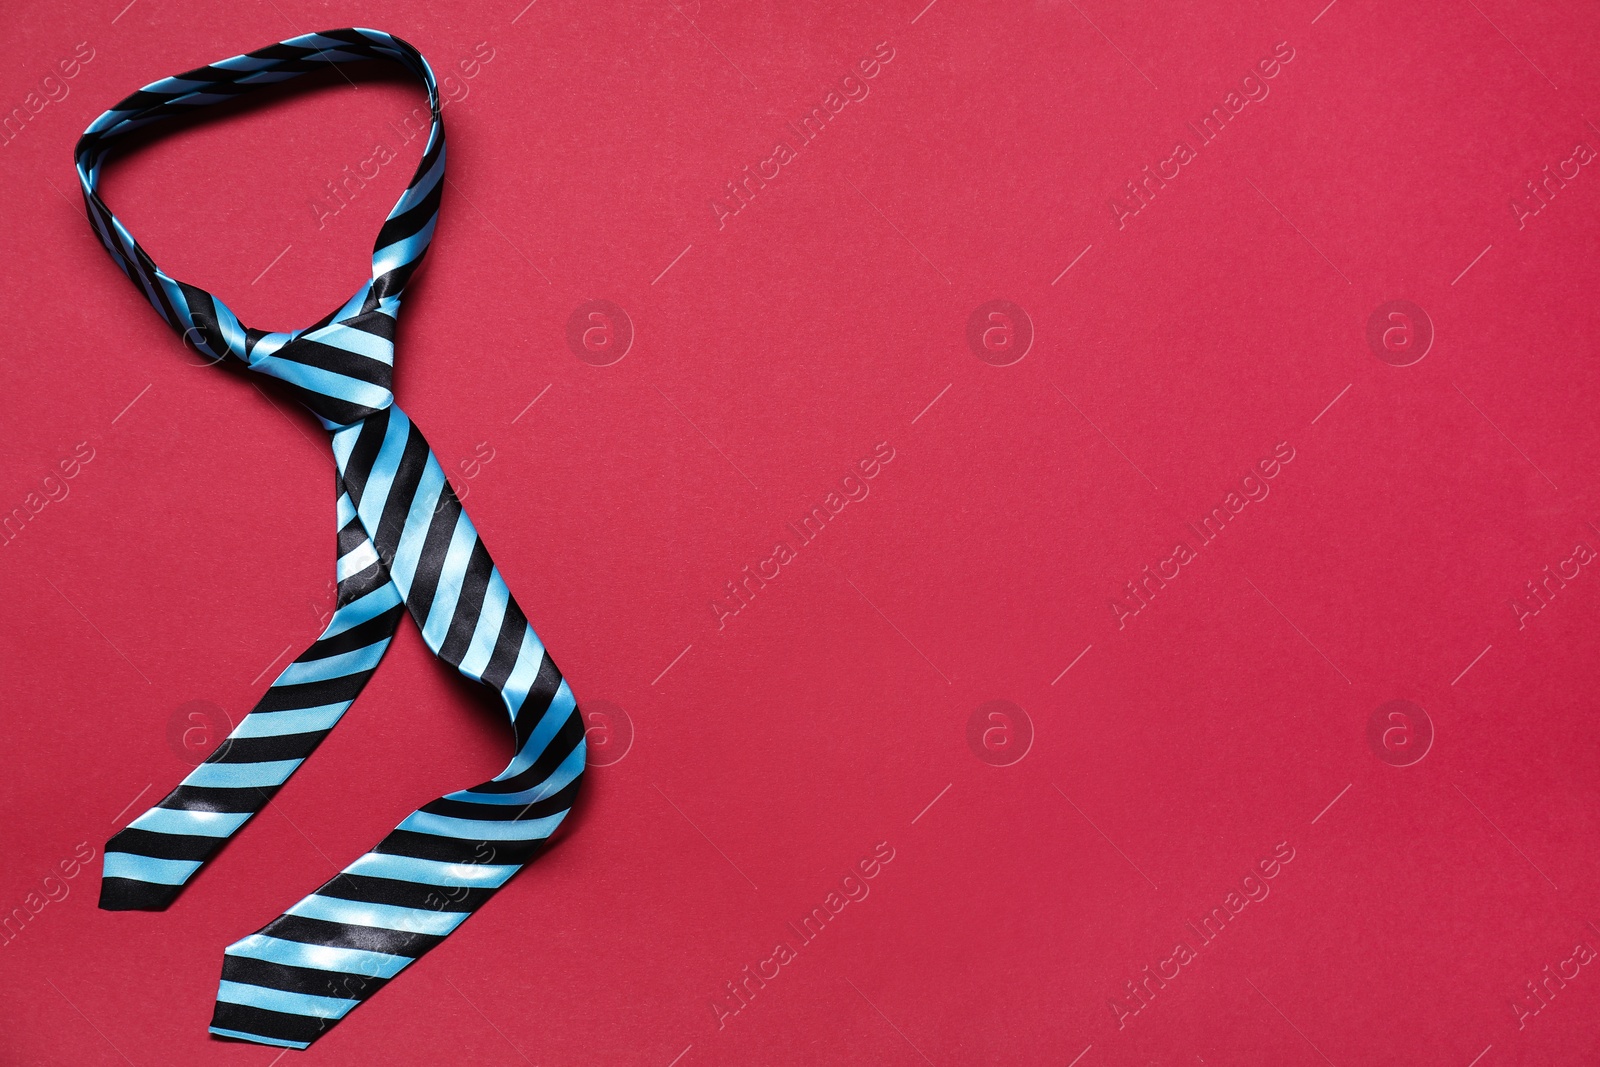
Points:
404	545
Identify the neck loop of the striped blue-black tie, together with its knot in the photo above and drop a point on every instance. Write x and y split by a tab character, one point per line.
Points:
343	366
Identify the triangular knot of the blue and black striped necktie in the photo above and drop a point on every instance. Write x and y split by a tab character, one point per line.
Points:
342	370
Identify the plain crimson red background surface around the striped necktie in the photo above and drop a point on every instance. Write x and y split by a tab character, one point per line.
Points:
770	356
